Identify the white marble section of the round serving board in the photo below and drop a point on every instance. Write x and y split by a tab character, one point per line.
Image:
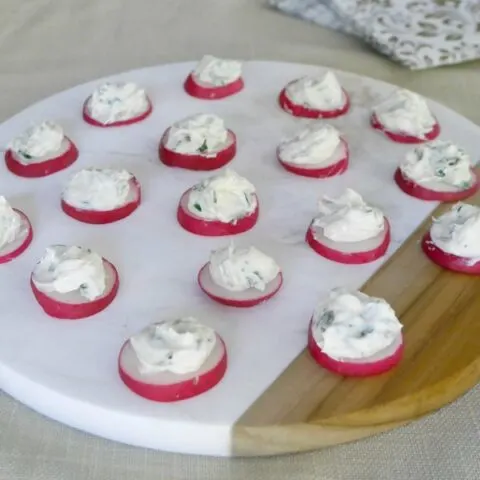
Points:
67	370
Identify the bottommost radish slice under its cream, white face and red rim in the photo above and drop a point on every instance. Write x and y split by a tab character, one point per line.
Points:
171	387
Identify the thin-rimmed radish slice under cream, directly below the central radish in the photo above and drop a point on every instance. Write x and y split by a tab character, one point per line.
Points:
245	299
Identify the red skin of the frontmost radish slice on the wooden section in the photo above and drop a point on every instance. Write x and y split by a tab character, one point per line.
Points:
353	369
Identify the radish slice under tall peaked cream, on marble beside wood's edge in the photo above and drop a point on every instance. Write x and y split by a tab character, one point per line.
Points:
353	253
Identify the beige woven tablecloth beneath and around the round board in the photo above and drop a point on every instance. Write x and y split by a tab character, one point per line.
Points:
50	45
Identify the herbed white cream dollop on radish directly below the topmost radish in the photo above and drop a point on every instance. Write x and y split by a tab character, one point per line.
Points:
203	134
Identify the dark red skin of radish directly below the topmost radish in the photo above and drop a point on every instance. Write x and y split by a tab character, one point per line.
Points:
197	162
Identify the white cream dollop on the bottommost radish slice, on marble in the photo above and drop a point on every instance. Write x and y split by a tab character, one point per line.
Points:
178	346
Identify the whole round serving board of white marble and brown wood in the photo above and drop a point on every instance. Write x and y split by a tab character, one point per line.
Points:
273	399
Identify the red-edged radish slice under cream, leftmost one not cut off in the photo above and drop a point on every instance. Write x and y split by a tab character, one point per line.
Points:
67	156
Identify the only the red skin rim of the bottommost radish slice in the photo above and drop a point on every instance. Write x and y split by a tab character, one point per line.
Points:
181	390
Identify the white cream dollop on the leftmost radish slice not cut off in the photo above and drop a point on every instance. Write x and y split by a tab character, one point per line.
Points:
37	142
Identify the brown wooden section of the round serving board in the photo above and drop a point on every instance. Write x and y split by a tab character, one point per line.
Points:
308	408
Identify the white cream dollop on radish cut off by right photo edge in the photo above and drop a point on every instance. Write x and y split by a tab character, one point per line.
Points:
458	231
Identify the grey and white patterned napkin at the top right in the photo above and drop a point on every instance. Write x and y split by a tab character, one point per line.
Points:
416	33
